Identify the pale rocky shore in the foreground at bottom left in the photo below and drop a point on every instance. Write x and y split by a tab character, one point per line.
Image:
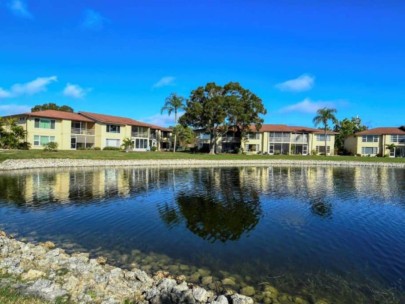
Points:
56	276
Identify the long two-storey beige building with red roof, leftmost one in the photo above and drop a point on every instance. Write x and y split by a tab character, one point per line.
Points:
84	130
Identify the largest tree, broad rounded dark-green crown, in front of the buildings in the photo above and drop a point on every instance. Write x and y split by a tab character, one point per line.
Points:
218	109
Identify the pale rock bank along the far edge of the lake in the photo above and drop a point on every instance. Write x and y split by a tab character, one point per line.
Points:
19	164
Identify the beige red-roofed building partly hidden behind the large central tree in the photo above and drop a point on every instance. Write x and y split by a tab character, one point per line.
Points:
274	140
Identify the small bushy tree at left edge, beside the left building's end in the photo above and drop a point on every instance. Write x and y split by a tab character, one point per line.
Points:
11	134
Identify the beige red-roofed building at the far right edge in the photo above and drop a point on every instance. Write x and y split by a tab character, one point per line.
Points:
378	142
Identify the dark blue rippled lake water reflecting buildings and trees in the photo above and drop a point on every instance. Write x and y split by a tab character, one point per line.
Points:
315	232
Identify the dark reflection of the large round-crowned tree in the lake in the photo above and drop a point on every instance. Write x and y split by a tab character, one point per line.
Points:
220	207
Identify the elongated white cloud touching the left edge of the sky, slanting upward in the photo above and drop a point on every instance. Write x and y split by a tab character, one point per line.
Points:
29	88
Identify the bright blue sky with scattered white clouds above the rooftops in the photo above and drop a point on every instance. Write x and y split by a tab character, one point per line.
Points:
125	57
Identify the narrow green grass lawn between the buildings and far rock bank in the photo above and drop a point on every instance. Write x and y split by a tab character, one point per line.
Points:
118	155
